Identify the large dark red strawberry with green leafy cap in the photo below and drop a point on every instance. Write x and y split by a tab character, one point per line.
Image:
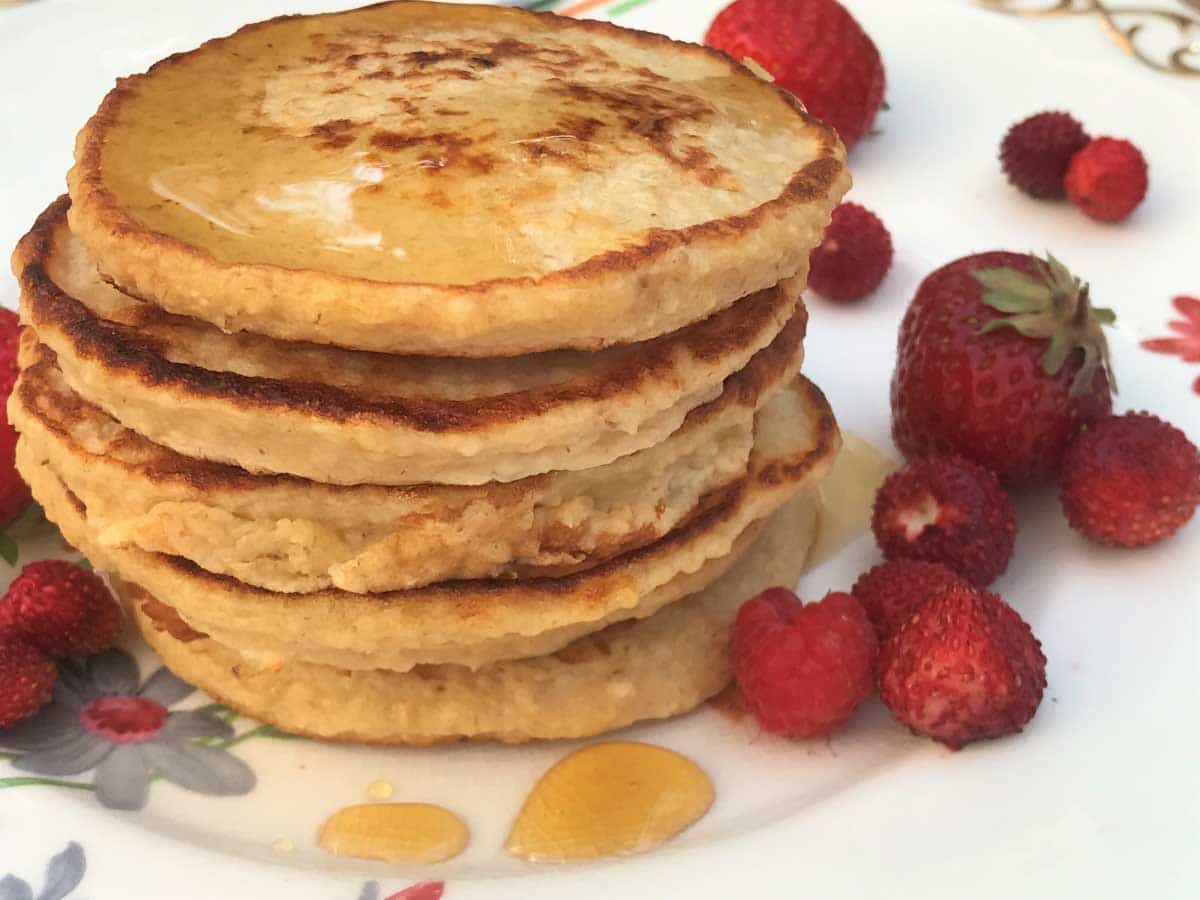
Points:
1003	359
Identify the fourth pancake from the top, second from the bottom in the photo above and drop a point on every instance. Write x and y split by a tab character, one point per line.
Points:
475	622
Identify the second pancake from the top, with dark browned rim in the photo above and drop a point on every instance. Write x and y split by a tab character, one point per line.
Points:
345	417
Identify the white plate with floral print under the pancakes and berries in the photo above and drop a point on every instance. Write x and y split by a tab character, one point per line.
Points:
1099	799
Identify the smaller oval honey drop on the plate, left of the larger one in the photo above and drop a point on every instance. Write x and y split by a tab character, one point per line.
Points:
394	833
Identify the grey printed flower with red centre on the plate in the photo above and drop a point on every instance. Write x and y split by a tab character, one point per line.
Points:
104	719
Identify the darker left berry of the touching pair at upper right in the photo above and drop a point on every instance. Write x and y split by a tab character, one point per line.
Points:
1037	152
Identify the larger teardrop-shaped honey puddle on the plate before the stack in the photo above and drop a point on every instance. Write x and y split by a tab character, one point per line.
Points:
610	800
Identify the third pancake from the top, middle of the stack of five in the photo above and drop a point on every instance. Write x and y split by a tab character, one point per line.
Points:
289	535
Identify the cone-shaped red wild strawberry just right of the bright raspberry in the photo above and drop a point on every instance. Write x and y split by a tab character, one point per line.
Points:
964	668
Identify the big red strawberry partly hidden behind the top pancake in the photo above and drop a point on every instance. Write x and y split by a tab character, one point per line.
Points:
815	50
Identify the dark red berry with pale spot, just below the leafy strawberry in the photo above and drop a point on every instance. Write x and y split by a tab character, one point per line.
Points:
945	509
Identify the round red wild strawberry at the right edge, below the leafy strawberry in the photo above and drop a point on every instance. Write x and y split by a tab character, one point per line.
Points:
1131	481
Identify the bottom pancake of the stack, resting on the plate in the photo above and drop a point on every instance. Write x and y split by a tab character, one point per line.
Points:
657	668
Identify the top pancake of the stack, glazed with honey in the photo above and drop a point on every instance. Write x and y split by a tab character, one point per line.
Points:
451	181
